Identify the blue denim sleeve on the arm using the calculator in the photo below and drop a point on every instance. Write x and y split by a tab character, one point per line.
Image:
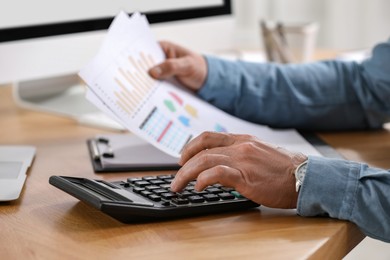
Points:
350	191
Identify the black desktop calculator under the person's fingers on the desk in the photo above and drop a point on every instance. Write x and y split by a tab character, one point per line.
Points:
149	197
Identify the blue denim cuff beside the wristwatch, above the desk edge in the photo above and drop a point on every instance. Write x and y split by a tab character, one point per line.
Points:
329	188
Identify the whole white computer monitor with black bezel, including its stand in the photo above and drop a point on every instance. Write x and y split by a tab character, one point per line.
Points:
43	44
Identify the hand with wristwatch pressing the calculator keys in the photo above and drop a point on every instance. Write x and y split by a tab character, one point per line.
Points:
259	171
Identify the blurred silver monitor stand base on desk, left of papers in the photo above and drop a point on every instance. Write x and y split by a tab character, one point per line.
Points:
63	96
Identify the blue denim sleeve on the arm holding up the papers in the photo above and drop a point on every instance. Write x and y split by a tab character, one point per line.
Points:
327	95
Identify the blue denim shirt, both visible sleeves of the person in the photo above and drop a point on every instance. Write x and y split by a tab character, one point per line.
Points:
327	95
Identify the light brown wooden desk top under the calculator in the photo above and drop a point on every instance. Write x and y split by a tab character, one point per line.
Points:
46	223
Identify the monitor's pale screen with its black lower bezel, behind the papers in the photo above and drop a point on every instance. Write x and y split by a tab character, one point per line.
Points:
40	18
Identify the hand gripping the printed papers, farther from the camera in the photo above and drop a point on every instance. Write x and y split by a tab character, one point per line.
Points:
188	67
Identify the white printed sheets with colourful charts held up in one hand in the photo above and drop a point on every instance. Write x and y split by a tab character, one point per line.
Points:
163	113
